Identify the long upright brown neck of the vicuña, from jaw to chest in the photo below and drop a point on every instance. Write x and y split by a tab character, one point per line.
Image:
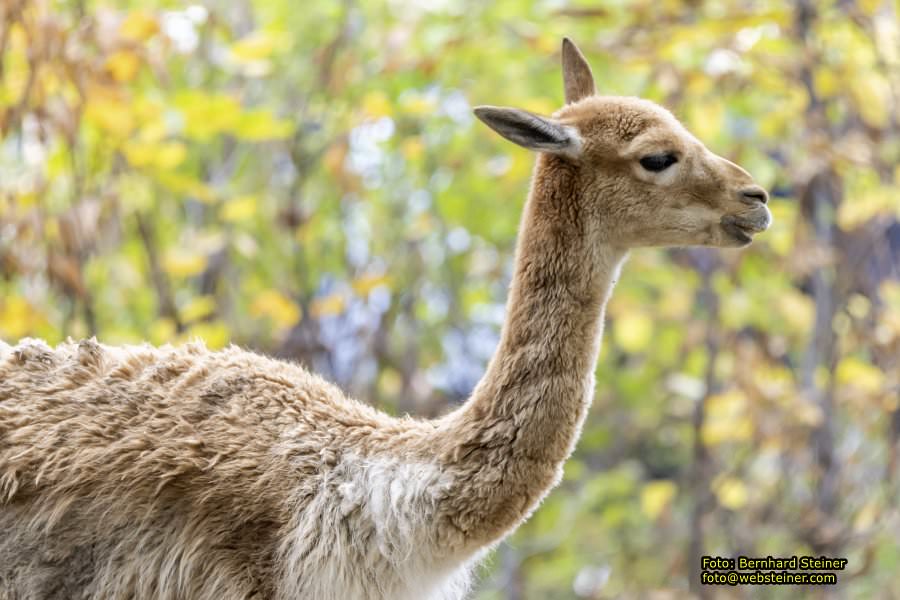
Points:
526	413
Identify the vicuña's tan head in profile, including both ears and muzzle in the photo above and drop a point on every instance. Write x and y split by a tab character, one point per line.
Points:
633	169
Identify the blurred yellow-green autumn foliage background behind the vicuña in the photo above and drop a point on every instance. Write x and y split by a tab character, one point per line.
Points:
306	179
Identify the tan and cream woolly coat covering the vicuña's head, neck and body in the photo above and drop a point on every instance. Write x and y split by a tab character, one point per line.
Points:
170	473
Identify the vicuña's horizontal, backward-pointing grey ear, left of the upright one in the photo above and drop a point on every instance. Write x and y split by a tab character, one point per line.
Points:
530	130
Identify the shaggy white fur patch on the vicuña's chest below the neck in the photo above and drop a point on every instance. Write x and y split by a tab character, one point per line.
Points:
369	533
